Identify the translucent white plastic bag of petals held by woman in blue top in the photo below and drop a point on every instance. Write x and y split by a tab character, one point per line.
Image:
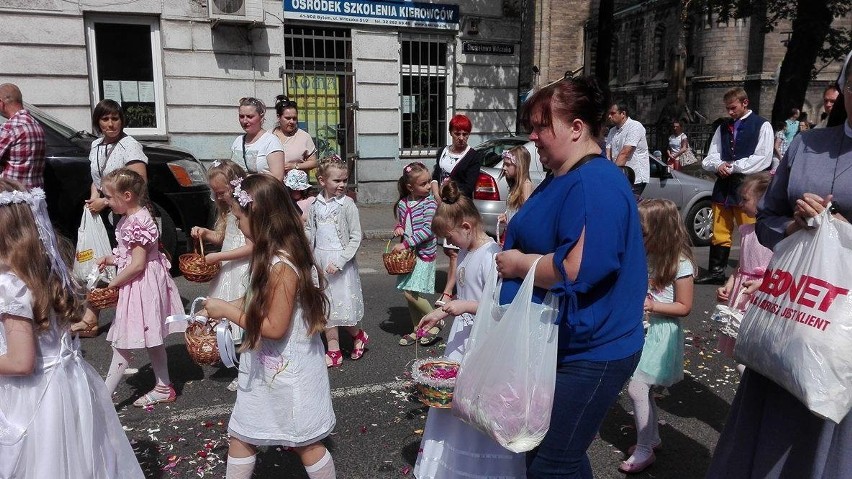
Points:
506	381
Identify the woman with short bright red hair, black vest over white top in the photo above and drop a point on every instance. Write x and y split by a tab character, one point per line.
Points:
460	163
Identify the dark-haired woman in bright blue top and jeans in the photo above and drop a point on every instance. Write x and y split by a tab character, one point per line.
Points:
584	221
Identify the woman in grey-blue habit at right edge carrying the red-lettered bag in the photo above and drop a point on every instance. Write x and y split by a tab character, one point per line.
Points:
769	432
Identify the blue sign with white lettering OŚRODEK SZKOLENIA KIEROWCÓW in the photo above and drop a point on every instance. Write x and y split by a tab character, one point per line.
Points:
375	12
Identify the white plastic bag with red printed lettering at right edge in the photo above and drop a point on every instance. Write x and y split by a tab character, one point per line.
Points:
797	330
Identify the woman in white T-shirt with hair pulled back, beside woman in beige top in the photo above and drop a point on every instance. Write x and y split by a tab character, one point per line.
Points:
257	150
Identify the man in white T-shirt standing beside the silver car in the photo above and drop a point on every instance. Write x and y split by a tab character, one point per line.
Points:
626	145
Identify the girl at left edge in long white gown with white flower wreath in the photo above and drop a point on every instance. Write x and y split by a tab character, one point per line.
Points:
56	418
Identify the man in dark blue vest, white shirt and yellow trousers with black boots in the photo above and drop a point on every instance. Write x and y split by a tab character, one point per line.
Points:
741	146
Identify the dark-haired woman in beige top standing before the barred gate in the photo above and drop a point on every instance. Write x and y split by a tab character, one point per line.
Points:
300	153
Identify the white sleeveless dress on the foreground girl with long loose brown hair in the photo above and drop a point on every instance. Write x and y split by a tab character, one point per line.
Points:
283	394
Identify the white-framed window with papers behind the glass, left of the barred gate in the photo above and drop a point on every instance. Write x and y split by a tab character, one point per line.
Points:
126	66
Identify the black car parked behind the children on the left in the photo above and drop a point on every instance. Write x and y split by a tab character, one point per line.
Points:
177	183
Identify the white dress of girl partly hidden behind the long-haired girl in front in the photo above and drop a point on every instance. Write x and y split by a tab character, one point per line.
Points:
232	280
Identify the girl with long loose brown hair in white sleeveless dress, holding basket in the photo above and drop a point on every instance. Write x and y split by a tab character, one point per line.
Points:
283	397
